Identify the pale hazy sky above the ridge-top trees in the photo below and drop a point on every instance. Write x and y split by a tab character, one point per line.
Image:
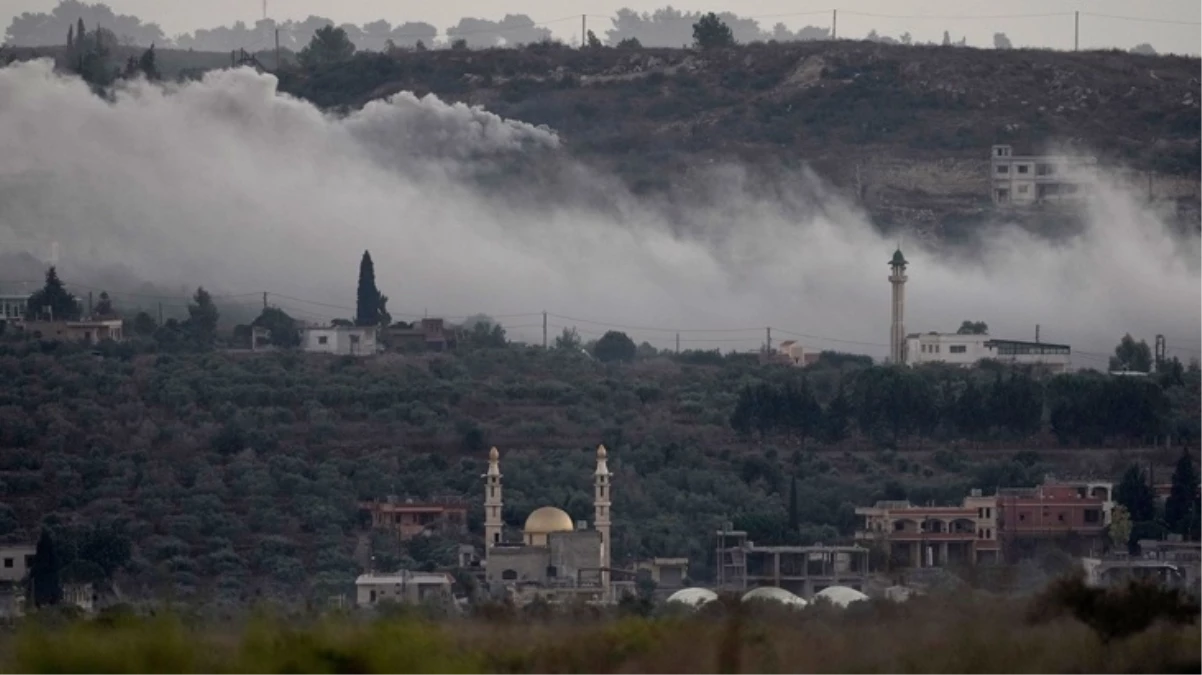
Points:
1174	33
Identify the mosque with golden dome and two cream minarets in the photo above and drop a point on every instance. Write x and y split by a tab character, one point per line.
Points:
556	560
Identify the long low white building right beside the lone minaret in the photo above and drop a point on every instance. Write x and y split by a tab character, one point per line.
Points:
967	350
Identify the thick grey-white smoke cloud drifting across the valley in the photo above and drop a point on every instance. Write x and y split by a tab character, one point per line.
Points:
228	184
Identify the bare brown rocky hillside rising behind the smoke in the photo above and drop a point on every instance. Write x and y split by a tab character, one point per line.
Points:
906	128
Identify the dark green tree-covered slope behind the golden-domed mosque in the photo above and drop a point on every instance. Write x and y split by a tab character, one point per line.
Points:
224	477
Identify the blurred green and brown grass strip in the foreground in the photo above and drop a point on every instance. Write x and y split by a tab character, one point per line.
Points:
927	636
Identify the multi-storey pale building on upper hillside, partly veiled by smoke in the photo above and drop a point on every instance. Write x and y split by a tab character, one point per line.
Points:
1030	180
